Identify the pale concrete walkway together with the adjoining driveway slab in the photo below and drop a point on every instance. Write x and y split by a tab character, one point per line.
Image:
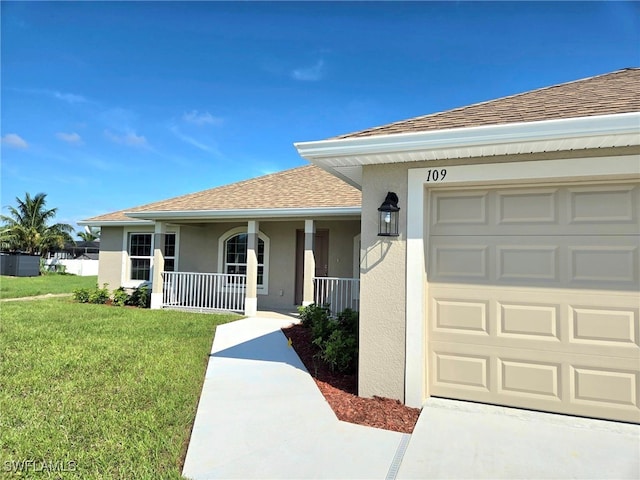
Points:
262	416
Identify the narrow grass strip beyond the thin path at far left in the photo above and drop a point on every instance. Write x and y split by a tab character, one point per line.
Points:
14	287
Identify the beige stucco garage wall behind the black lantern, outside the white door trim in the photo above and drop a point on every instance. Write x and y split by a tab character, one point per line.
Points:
383	272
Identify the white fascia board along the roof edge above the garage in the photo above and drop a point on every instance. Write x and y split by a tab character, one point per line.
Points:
562	129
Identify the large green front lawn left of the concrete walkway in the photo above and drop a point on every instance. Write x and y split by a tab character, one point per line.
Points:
99	392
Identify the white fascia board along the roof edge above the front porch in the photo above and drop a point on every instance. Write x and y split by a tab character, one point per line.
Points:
248	213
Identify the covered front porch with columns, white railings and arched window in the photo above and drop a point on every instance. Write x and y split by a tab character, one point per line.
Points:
266	265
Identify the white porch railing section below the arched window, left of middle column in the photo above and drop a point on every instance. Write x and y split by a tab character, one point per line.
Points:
203	291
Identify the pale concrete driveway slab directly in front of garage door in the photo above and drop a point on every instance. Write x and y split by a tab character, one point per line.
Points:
456	439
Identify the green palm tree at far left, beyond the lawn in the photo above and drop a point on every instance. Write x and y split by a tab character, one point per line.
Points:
26	227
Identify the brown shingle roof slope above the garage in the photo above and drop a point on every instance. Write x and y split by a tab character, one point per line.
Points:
610	93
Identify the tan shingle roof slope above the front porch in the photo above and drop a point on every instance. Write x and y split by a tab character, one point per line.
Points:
302	187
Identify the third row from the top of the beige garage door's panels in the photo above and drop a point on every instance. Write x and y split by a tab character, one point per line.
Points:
596	323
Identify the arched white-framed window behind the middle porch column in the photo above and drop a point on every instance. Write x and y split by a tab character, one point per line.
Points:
233	255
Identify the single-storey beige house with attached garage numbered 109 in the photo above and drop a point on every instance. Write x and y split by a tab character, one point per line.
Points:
513	279
